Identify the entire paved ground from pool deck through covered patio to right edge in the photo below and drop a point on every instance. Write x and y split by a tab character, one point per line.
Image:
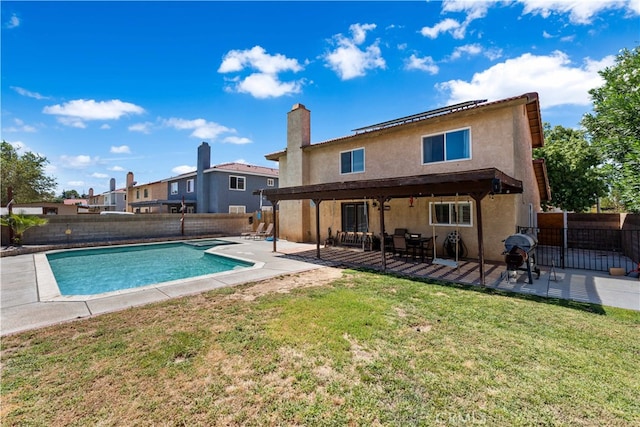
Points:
22	307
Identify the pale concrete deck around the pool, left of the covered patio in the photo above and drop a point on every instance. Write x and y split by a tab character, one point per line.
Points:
22	307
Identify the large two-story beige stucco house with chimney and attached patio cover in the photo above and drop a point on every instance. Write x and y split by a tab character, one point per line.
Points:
467	167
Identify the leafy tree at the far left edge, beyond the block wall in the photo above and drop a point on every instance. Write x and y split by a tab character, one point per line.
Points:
25	173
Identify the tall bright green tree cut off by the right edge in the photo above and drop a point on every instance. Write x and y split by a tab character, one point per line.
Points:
614	125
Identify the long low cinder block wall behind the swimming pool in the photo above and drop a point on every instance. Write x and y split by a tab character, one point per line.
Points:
106	228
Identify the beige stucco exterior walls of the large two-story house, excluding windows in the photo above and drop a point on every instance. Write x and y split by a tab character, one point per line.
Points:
500	138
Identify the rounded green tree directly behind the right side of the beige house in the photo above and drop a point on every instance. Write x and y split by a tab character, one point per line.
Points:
572	166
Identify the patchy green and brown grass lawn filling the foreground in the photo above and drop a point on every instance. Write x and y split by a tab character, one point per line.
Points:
331	347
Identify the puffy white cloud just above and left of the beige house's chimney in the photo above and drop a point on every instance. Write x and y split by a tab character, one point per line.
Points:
265	83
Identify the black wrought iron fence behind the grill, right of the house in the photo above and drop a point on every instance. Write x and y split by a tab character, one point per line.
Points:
587	249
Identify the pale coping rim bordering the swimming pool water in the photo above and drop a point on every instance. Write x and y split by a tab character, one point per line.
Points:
48	290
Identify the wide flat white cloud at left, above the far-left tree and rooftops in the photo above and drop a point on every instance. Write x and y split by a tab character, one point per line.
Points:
75	113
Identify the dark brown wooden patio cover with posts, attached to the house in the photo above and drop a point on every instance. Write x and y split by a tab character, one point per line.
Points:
475	183
